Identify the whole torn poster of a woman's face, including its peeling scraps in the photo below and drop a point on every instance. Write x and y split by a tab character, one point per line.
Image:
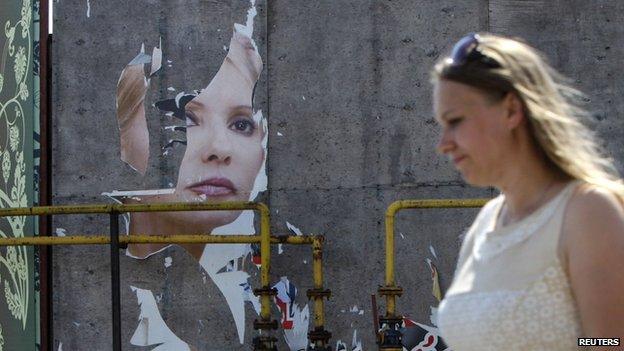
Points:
223	137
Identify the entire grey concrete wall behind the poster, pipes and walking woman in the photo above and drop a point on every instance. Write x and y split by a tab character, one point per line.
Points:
346	86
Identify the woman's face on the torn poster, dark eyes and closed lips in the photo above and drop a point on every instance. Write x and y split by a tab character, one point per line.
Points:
224	151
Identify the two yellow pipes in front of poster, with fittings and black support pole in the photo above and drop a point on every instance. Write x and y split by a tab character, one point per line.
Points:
265	341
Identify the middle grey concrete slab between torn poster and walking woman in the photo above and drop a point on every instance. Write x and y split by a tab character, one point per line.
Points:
349	91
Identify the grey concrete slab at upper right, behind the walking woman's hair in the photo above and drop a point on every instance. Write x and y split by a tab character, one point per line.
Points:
583	40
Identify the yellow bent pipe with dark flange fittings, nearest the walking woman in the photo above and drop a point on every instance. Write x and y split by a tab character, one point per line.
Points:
389	336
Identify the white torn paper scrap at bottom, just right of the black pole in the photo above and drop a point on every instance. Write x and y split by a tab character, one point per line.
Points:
152	329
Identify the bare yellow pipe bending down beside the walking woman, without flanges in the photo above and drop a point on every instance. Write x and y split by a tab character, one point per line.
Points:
390	214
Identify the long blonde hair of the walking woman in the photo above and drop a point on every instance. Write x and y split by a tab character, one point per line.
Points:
553	108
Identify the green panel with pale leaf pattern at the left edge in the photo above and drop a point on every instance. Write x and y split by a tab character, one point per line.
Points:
18	111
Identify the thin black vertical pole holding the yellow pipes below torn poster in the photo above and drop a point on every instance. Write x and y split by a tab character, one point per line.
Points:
115	289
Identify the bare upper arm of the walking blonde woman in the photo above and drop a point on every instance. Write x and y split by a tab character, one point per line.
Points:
593	243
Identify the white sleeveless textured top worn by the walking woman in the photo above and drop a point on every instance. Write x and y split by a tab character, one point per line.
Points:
510	290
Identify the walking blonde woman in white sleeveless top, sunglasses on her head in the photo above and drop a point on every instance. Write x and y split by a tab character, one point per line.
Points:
543	263
